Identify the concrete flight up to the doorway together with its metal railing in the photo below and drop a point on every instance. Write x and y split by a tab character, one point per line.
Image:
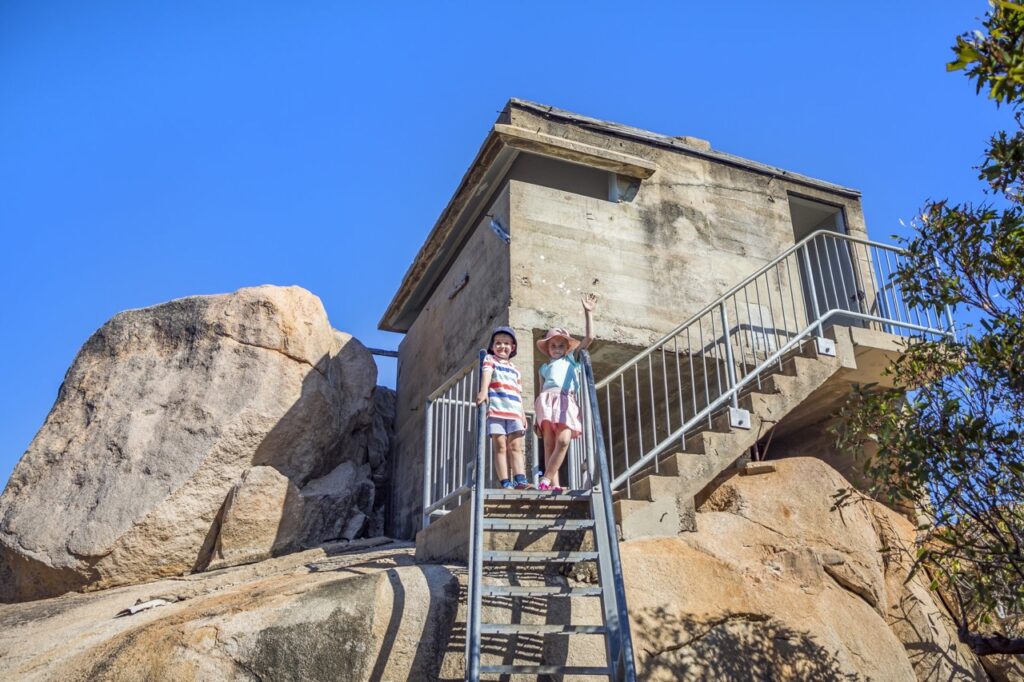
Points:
692	393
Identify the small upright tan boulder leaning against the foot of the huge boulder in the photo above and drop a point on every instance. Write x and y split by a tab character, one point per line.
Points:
261	520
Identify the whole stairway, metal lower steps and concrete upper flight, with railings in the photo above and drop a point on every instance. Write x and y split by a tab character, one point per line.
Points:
657	431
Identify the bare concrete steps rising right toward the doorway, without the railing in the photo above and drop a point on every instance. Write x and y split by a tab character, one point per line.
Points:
663	502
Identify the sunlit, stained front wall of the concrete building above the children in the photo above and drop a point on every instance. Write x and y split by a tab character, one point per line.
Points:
696	229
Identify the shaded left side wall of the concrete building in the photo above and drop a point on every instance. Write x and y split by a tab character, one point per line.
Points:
446	336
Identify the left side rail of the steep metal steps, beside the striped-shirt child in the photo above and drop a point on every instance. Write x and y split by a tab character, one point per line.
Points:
477	542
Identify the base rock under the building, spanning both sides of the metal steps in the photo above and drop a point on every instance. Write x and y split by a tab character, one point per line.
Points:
776	585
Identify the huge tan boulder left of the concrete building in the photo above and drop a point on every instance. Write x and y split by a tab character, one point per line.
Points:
159	416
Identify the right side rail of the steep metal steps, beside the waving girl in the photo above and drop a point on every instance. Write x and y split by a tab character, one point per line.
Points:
624	648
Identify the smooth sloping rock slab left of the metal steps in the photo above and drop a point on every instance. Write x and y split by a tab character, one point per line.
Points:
328	614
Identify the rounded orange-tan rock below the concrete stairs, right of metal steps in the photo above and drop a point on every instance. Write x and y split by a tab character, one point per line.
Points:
779	585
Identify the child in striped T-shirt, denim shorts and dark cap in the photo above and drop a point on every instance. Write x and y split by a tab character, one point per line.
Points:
501	388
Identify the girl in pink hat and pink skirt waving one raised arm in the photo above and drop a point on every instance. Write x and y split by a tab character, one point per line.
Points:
557	406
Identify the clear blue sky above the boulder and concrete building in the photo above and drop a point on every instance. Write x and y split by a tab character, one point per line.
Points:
152	151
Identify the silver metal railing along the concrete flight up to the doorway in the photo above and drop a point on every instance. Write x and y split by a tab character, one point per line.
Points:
701	369
